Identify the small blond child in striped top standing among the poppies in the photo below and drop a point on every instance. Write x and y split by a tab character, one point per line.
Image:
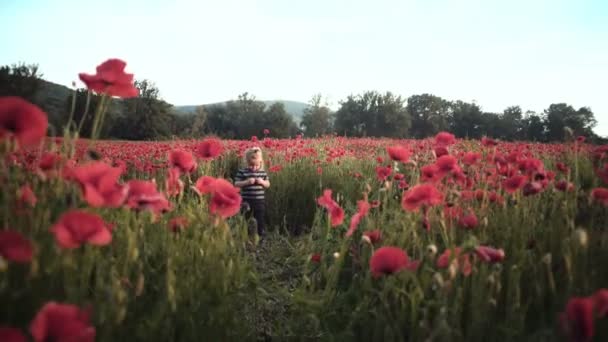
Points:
253	180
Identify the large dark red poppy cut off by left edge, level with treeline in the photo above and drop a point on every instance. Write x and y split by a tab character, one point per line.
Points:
21	120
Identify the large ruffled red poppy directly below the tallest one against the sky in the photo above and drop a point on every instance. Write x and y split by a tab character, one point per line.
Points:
98	181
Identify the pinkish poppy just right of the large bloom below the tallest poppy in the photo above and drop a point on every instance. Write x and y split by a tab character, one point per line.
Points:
143	195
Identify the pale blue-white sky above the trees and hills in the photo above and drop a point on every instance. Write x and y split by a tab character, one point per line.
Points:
529	53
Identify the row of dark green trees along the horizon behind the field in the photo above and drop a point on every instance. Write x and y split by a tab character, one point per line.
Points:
370	114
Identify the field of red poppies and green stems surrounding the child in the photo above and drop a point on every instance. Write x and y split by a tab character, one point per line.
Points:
373	239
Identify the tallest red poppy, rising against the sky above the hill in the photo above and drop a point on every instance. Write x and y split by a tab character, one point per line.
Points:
111	79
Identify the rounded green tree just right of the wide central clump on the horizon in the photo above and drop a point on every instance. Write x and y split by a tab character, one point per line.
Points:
429	113
